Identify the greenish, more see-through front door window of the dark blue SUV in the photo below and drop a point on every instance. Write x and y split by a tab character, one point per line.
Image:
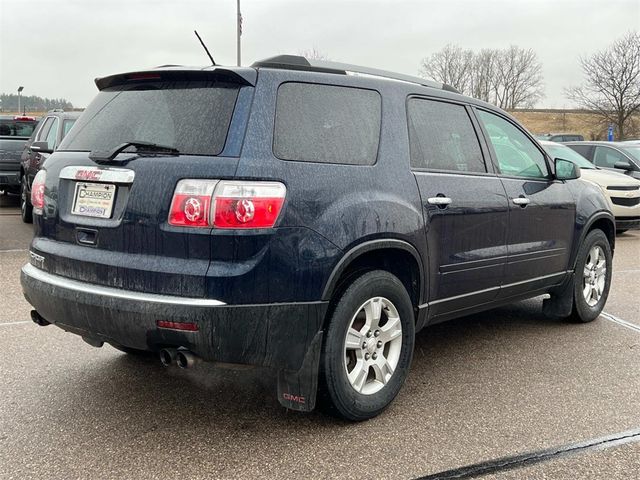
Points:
516	154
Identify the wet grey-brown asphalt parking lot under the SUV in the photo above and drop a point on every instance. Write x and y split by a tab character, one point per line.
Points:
493	385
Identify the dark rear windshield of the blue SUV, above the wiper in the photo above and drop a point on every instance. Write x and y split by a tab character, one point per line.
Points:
192	117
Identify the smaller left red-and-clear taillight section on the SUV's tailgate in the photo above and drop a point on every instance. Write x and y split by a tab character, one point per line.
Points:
191	204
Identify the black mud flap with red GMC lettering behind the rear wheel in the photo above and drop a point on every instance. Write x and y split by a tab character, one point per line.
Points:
297	389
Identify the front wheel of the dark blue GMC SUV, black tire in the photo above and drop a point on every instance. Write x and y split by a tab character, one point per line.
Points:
582	311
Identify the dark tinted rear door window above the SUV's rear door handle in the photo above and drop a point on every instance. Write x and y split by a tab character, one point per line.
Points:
442	137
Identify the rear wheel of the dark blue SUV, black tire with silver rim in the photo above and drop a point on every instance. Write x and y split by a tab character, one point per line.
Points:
336	394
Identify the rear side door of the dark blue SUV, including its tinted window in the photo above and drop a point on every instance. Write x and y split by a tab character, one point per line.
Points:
464	205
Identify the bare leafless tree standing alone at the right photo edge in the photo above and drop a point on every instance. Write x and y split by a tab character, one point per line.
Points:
612	83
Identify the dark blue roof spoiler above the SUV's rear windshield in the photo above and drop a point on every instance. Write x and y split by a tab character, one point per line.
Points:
243	76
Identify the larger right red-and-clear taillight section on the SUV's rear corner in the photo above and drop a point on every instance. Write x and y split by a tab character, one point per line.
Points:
247	204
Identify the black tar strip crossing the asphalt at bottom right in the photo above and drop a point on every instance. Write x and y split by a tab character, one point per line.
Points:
530	458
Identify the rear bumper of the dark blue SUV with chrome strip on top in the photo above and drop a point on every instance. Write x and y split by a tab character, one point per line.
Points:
271	335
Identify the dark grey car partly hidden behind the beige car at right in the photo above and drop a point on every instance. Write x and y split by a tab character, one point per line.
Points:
617	156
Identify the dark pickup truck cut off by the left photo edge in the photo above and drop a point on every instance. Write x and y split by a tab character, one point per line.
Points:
14	133
